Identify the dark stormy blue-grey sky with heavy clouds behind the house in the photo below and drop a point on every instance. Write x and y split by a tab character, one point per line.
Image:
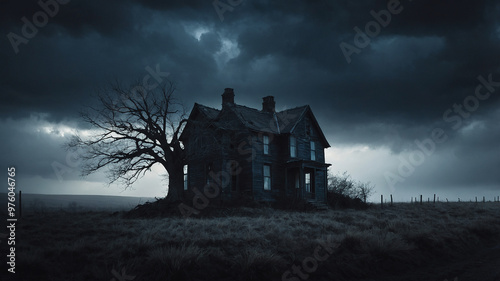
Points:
425	75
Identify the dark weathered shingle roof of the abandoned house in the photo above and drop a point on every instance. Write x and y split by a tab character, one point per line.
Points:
282	122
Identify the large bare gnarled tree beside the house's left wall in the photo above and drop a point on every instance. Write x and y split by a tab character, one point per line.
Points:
132	130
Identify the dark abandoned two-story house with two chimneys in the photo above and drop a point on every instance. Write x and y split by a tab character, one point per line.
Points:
256	154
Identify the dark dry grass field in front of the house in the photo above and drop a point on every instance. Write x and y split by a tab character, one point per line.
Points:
450	241
